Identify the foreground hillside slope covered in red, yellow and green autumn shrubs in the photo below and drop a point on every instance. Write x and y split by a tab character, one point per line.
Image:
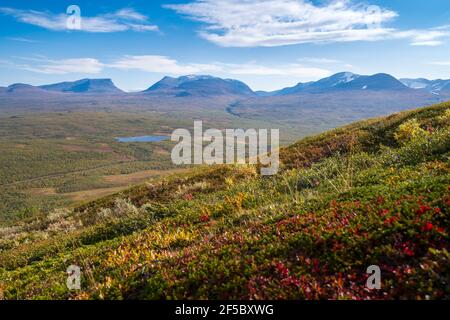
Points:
375	192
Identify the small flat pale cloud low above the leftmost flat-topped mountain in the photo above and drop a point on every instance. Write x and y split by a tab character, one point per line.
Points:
63	66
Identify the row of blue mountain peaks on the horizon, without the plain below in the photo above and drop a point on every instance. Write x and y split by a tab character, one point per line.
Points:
204	85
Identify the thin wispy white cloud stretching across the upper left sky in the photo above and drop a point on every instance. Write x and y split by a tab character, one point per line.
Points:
122	20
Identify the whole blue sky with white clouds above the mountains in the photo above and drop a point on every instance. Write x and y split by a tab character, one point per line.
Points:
269	44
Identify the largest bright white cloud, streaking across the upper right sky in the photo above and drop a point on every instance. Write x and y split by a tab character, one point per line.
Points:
252	23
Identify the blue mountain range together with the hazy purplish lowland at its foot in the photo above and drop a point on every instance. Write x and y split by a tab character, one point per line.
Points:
341	98
